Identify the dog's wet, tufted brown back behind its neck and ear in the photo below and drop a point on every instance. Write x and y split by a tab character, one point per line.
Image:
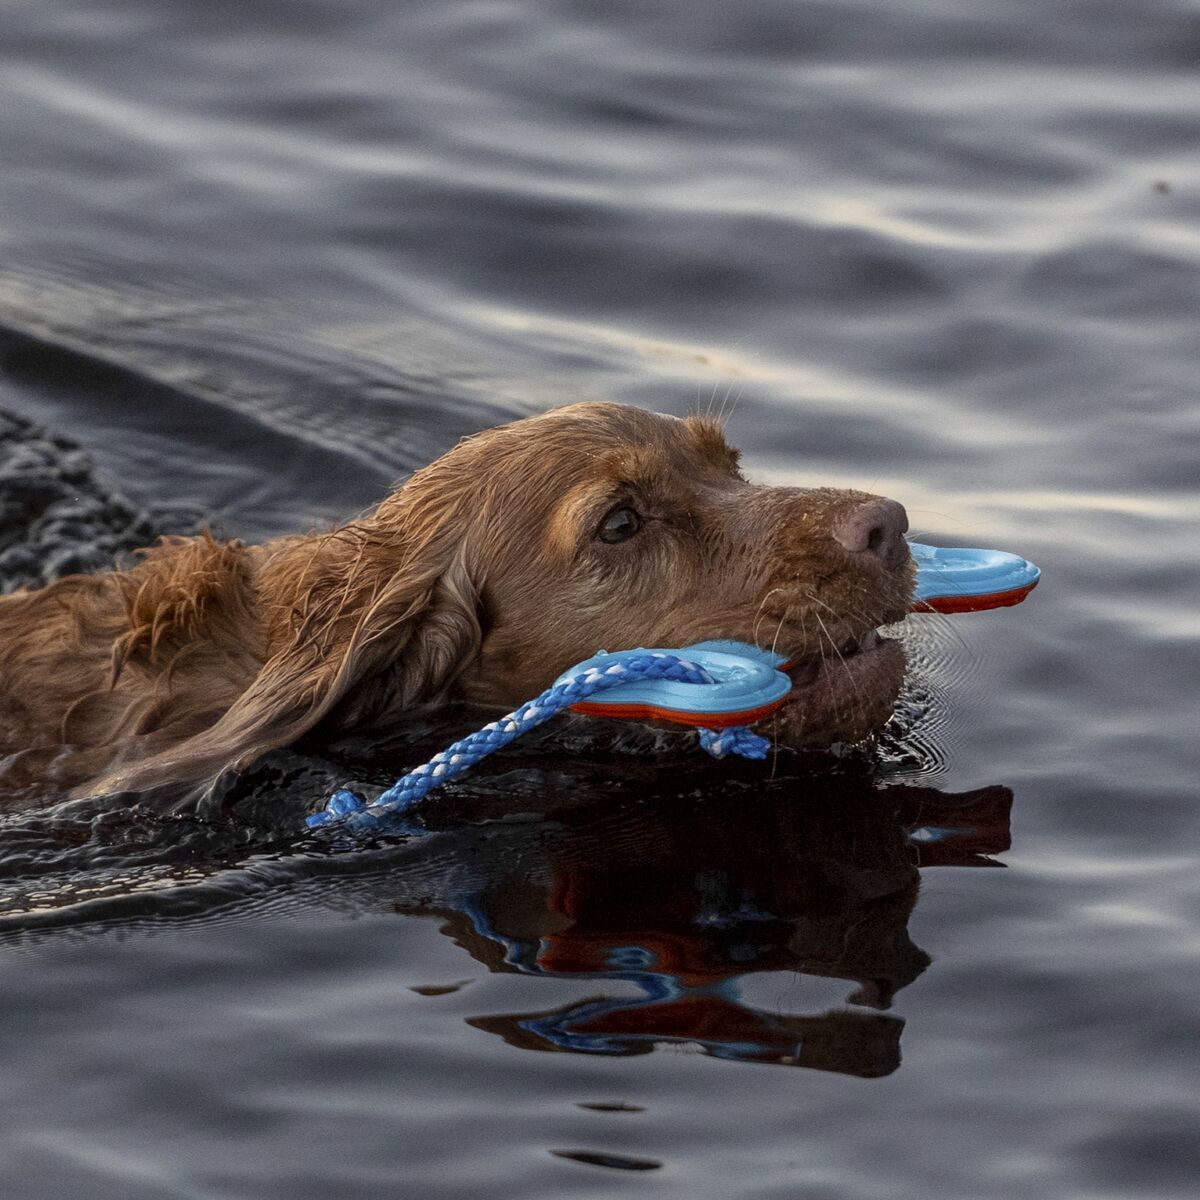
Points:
94	664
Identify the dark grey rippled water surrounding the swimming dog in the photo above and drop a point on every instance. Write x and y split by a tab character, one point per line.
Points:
265	259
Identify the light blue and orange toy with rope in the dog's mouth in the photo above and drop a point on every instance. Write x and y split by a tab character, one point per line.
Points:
719	688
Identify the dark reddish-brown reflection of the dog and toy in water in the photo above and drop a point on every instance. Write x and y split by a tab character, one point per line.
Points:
687	897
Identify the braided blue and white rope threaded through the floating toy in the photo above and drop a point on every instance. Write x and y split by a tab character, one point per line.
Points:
355	813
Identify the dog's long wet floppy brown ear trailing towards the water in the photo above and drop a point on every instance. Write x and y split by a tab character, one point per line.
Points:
373	643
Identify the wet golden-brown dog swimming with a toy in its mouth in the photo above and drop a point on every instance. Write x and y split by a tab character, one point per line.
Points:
521	551
